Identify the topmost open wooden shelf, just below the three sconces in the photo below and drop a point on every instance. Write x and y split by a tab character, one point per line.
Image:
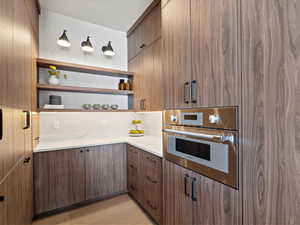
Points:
45	63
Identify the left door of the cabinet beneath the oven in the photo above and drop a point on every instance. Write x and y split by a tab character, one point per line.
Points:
177	195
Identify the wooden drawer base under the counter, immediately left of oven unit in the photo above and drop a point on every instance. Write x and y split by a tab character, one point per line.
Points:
145	181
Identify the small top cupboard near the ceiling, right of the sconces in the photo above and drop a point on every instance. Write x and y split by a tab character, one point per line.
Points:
148	31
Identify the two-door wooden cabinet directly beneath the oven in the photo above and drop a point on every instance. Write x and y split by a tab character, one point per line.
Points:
191	198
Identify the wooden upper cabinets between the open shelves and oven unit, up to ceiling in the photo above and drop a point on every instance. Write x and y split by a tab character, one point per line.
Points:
144	55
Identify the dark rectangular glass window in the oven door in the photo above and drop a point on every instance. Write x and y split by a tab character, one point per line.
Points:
196	149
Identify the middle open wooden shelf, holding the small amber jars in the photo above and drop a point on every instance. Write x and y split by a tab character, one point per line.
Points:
82	89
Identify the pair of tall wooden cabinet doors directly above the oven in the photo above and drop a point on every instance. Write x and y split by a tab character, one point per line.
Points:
200	47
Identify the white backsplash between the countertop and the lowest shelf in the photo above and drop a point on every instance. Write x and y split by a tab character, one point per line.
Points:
73	125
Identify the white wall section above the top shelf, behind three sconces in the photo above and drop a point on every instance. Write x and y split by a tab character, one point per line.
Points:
52	26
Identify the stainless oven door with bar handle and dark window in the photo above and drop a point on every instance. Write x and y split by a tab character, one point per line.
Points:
212	153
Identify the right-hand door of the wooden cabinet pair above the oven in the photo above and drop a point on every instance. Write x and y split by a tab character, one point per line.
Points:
215	46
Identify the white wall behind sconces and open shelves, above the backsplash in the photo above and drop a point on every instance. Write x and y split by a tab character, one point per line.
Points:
51	27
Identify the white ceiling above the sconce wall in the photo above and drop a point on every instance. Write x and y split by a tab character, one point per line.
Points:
116	14
